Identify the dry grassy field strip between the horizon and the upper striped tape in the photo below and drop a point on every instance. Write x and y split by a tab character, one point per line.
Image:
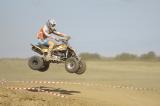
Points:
97	71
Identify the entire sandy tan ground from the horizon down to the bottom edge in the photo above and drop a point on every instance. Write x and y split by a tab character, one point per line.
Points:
106	84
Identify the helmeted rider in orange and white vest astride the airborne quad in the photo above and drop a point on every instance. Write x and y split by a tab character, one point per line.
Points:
45	38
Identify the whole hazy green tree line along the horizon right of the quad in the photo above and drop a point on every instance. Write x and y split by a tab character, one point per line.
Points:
149	56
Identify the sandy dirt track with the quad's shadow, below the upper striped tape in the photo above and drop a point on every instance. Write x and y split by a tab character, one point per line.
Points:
90	93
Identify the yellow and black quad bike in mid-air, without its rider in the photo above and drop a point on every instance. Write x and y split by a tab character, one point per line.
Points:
63	53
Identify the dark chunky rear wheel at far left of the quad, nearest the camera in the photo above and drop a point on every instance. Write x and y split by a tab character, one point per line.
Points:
35	62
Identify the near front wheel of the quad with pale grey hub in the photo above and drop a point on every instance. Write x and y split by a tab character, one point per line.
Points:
72	65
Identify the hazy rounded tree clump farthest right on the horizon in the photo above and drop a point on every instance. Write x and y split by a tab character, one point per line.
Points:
148	56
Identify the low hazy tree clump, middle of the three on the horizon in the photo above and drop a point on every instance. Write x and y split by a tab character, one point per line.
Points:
126	56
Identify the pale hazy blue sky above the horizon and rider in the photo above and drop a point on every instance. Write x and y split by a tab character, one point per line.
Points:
107	27
